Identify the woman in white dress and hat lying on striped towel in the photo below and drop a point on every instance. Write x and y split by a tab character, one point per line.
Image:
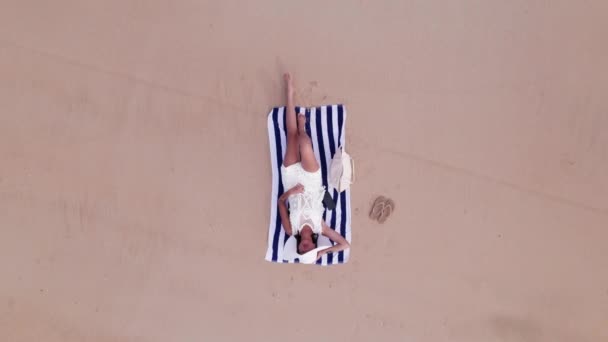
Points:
301	174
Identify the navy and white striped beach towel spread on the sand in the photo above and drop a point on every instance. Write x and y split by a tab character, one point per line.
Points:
325	126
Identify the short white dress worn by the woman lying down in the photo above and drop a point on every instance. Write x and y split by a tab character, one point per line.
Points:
305	208
